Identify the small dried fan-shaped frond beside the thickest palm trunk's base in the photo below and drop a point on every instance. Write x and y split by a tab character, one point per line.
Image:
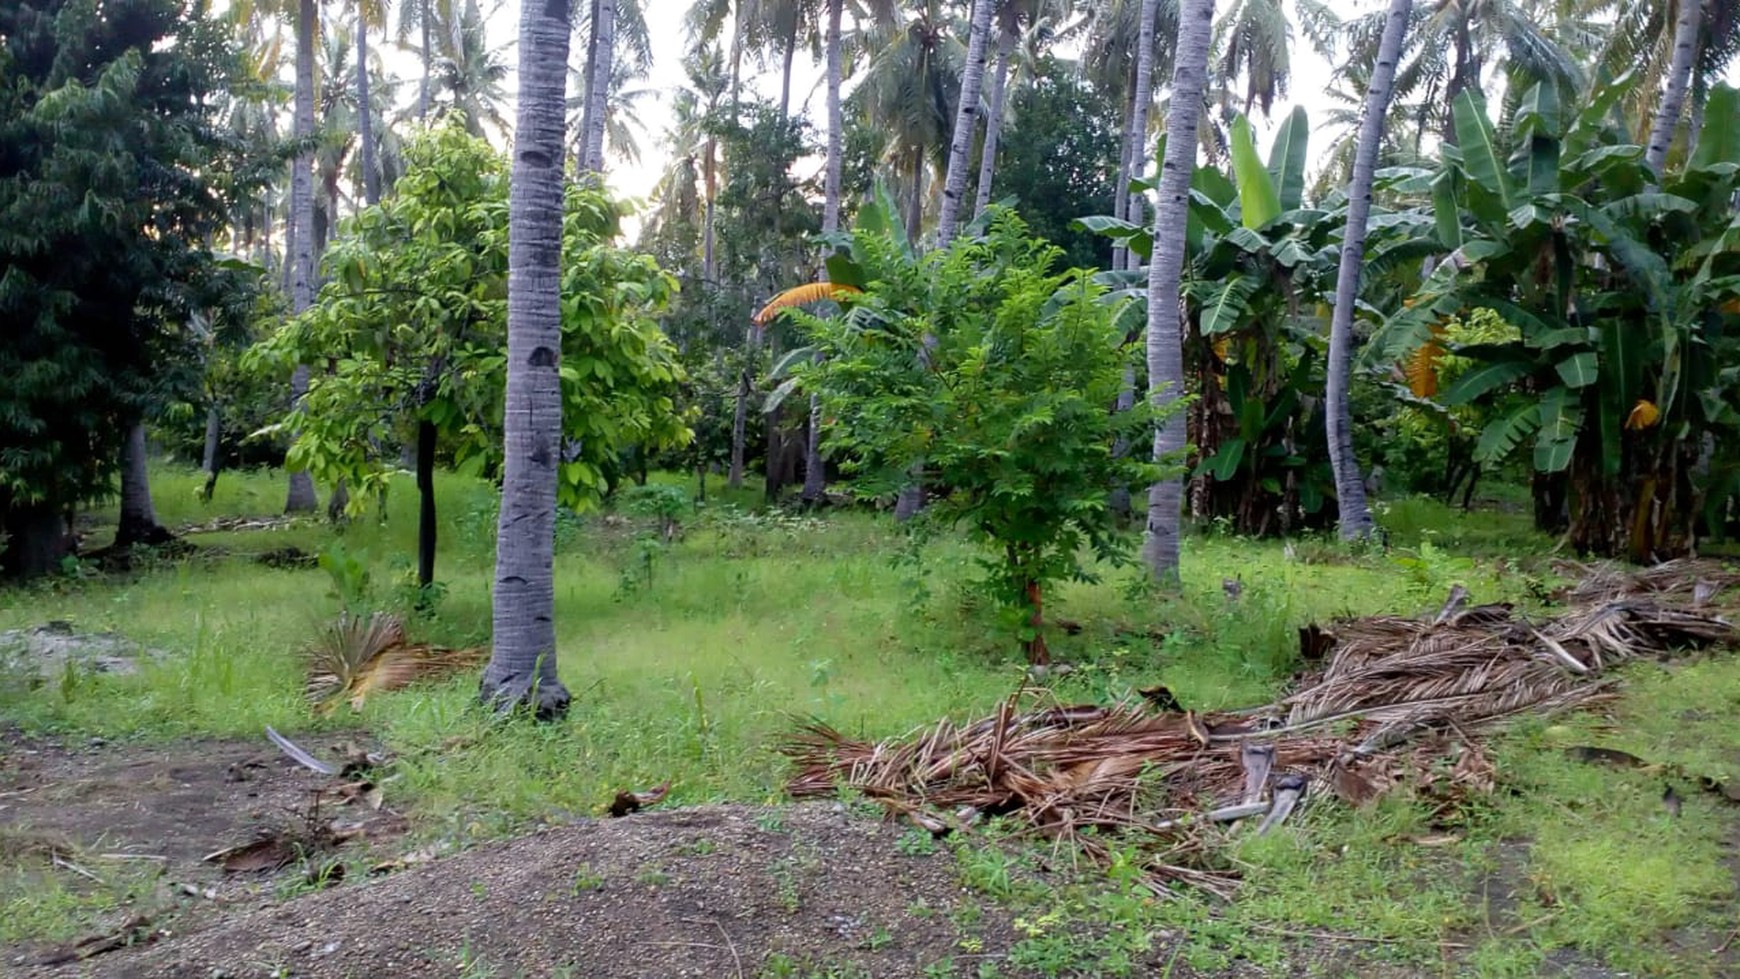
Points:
363	655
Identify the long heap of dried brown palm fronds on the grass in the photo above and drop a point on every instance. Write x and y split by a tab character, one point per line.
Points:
1393	700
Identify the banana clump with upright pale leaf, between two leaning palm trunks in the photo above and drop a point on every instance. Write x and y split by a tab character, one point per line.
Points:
1261	270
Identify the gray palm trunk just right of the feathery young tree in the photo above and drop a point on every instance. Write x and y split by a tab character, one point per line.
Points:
1167	370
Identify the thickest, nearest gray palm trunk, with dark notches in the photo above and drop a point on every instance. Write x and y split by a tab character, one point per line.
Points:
523	663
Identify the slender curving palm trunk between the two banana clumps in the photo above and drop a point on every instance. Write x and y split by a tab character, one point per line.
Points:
1349	486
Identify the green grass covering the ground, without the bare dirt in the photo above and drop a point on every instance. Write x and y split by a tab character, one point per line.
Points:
688	662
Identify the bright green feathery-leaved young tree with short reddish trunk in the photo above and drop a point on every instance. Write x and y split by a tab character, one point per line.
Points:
1008	408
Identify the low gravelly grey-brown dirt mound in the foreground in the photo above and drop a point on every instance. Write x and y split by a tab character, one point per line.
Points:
714	891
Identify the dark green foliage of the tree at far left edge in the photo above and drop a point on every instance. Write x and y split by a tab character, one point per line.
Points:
112	182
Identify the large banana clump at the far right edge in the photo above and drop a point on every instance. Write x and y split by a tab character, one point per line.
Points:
1621	288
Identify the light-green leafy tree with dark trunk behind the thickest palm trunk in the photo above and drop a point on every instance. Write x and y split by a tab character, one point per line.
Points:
415	316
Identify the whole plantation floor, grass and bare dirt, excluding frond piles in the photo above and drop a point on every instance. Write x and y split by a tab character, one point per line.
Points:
690	662
